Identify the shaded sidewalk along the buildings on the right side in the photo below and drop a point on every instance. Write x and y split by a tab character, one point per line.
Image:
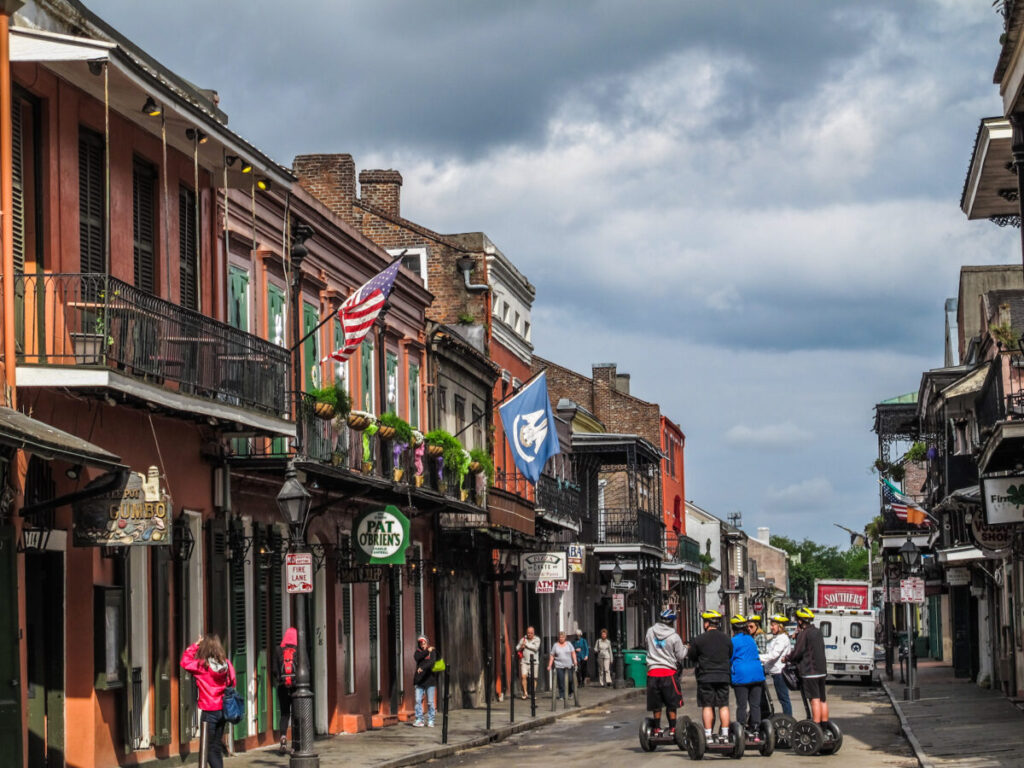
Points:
956	723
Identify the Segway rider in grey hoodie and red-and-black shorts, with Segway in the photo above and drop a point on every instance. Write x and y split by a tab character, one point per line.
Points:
665	659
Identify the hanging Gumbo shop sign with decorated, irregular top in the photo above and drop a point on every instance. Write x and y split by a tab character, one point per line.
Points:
135	513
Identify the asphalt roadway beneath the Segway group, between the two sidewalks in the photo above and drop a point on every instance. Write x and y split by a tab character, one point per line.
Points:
608	738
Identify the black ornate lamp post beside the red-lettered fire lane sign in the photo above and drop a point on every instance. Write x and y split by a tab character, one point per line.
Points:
294	503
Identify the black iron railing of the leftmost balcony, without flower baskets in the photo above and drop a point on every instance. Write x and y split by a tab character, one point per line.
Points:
95	321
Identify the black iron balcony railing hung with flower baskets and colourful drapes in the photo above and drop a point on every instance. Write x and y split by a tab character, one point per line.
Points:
332	442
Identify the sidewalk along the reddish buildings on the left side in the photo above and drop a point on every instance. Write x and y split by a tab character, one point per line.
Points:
402	745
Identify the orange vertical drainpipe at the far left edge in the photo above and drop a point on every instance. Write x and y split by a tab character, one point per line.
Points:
8	9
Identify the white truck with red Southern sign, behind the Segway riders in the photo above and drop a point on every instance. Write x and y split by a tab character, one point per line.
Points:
843	614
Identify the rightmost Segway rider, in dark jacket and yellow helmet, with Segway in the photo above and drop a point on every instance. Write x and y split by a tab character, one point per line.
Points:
817	735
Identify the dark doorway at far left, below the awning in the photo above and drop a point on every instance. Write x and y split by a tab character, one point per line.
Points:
45	599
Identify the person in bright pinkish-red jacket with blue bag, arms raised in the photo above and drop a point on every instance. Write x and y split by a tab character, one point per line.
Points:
206	660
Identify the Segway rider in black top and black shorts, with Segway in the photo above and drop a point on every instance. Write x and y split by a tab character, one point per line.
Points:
712	654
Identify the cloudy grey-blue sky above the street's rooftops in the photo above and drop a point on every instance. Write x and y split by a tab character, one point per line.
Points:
752	208
